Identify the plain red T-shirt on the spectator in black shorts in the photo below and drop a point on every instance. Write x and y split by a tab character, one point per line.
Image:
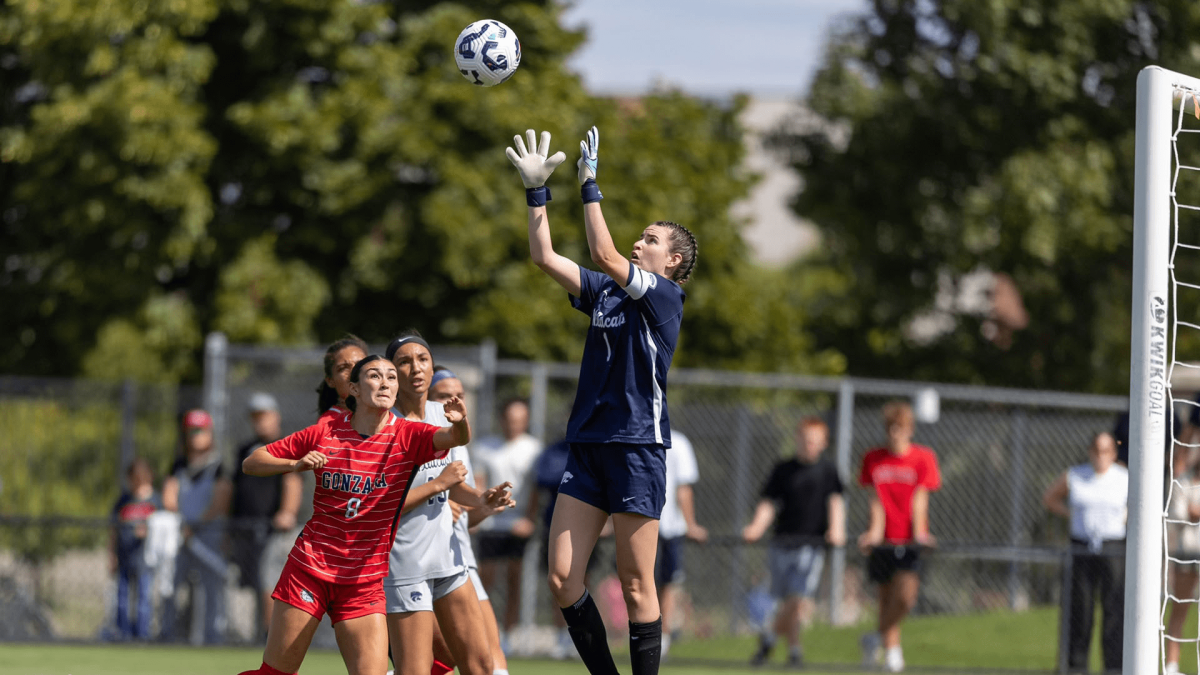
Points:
896	479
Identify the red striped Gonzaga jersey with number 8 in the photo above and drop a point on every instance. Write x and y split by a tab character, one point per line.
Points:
359	493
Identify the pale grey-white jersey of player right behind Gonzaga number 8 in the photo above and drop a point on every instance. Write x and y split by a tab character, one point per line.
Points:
425	546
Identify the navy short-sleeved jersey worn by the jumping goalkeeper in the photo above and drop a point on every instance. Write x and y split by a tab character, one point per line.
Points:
623	378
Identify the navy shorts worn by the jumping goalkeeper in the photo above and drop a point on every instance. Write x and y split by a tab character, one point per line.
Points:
617	477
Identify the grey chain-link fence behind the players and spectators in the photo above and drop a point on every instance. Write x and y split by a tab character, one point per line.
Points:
999	451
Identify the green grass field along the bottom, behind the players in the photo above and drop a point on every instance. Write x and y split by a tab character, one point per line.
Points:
945	644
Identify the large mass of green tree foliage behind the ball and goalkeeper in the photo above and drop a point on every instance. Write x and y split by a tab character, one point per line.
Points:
291	170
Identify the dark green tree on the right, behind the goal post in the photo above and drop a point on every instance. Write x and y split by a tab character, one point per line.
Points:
963	135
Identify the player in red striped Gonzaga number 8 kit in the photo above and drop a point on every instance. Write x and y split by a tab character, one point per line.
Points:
363	462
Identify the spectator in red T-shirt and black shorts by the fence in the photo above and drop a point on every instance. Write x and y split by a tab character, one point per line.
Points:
903	475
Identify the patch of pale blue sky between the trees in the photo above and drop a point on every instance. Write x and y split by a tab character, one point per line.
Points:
706	47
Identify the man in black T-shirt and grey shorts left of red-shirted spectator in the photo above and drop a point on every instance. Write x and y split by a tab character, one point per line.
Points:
803	498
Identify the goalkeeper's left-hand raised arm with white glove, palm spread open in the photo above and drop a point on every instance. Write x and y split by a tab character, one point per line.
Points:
536	168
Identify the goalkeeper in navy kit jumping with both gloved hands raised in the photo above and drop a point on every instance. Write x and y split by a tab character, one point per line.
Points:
619	429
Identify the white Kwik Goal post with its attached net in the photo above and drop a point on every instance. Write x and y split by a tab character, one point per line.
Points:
1167	231
